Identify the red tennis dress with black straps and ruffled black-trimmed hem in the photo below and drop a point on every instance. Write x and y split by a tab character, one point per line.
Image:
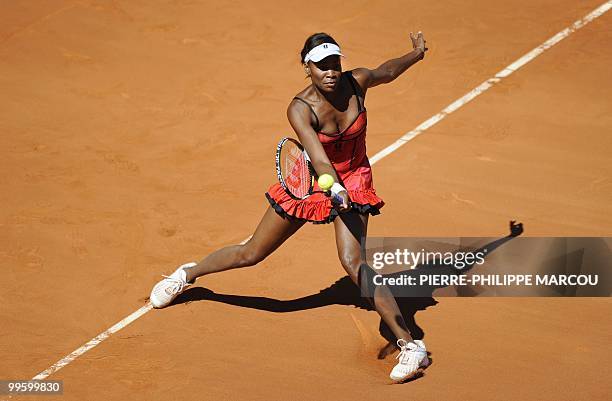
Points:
346	151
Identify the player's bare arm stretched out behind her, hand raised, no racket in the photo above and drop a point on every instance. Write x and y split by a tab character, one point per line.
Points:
389	70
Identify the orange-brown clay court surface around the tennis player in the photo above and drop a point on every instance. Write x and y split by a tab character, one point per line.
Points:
139	135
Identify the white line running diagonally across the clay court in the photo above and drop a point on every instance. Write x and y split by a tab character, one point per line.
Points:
378	156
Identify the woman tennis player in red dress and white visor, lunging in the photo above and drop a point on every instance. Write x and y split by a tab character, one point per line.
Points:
329	118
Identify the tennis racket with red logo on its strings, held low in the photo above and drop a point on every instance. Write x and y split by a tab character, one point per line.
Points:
295	172
